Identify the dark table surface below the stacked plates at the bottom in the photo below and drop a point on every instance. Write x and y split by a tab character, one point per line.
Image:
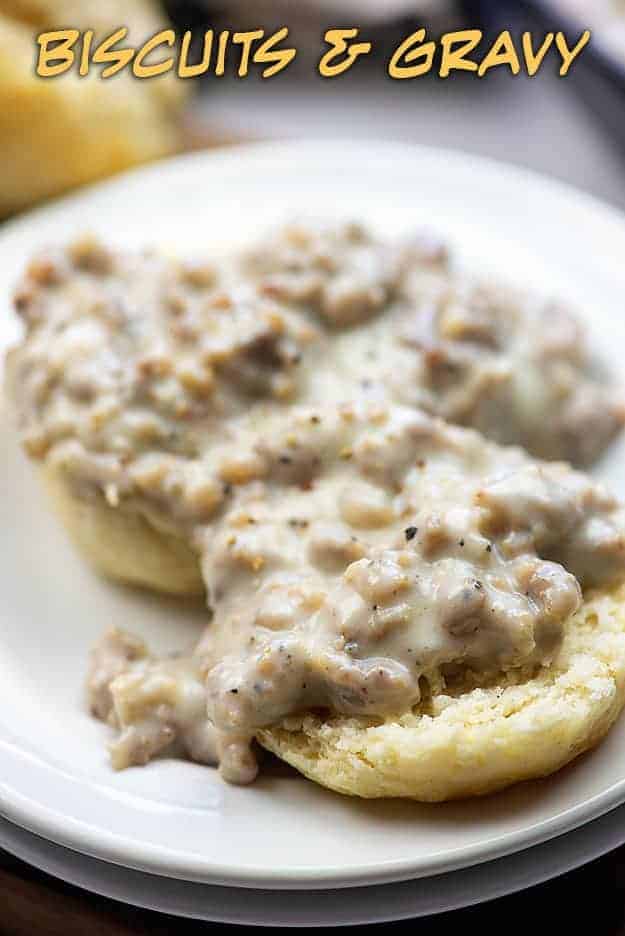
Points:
34	904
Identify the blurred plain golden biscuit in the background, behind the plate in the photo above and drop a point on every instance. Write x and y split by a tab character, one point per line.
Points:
60	133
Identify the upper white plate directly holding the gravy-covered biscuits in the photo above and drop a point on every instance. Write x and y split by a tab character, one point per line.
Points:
179	819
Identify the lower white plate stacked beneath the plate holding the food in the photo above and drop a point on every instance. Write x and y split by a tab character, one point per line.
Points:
347	906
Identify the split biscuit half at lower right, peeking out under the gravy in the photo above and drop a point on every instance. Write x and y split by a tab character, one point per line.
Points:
480	740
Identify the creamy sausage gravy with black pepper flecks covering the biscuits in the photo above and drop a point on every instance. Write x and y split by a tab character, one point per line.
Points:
280	412
